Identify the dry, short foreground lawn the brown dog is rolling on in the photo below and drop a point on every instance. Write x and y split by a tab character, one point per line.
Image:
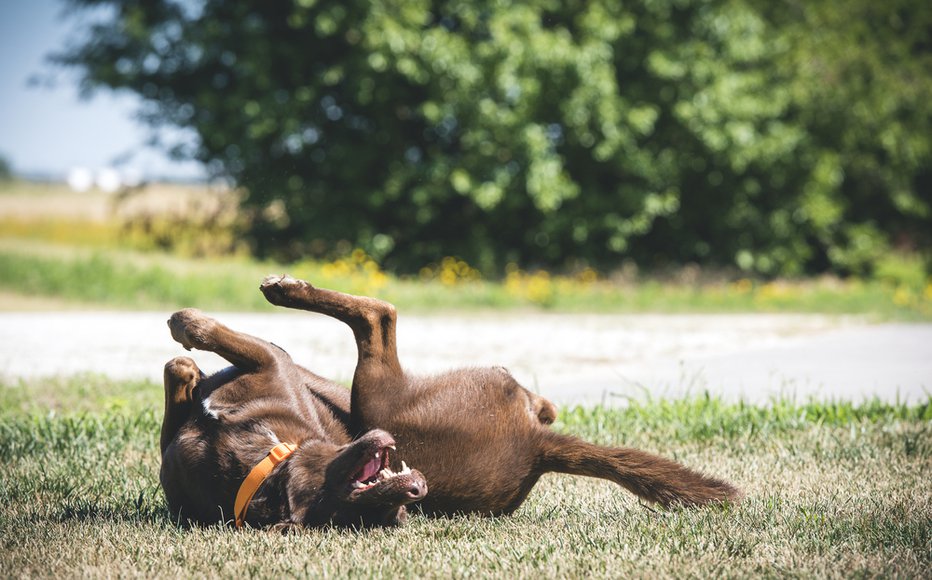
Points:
833	490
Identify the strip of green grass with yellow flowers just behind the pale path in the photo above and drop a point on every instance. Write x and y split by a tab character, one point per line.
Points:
128	279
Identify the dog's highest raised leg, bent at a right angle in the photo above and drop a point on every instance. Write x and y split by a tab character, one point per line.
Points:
373	324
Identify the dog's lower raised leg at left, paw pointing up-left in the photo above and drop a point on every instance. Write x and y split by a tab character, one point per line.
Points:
192	329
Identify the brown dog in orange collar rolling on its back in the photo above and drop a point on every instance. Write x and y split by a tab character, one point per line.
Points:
477	437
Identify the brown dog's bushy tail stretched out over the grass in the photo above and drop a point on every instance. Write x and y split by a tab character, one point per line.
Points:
648	476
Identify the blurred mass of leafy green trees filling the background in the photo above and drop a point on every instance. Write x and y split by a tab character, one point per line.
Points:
780	136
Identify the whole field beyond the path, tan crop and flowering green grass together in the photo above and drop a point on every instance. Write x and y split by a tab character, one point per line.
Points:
172	246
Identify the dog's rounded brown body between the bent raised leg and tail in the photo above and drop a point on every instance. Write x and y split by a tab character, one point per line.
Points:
476	442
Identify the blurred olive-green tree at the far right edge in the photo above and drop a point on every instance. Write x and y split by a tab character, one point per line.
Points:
861	76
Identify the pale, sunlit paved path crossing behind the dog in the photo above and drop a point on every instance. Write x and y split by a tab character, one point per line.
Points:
568	358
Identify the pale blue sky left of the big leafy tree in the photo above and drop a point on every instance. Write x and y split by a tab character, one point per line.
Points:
48	131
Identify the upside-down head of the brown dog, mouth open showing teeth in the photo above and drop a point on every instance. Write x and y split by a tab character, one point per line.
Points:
353	485
